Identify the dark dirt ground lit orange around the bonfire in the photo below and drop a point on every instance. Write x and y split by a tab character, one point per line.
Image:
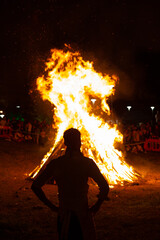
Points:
133	212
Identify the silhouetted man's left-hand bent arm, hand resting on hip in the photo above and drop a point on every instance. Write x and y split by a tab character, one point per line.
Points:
38	184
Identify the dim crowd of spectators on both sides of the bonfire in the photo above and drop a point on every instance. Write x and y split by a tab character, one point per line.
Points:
40	132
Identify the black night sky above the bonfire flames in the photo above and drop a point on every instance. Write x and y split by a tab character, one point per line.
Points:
122	36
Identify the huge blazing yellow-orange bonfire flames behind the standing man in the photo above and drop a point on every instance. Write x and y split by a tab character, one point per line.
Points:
70	83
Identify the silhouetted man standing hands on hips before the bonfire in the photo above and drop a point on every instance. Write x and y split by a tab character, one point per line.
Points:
71	173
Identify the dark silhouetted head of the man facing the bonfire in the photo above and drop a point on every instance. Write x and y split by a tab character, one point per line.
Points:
72	139
